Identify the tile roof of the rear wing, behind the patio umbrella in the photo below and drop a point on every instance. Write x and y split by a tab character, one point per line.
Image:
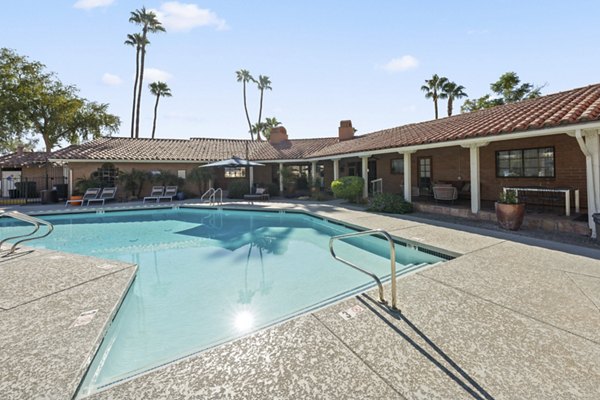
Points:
192	150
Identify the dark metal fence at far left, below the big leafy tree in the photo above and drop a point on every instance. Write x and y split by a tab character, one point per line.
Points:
31	190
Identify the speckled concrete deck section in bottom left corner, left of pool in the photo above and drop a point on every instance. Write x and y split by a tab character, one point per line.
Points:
44	352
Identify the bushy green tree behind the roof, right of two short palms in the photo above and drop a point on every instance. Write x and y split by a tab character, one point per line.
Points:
507	89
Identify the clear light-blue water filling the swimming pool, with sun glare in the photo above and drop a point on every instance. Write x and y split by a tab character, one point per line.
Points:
209	276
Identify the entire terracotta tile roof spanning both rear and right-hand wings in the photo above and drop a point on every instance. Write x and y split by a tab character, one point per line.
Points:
559	109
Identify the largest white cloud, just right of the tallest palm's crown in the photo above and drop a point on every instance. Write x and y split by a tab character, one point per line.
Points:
176	16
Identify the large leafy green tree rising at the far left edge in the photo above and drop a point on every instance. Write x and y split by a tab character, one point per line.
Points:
35	102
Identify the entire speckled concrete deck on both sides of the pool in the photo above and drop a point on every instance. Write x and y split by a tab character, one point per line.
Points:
503	320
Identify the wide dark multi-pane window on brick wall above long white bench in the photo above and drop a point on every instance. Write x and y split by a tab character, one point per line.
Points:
525	163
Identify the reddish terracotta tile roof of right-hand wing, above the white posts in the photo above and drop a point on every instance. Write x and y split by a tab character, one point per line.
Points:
570	107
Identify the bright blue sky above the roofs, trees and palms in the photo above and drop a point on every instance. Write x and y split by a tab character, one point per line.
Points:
327	60
